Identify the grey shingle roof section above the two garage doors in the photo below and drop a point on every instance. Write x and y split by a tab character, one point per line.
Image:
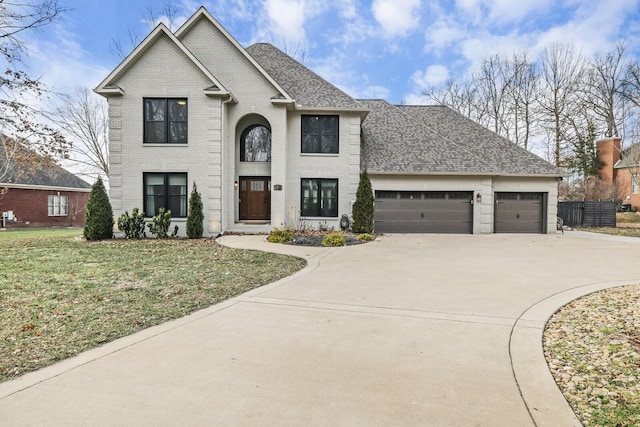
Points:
437	139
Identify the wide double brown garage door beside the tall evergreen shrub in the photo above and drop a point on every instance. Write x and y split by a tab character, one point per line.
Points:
424	212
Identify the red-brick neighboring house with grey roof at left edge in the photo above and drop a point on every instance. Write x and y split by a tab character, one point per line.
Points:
44	196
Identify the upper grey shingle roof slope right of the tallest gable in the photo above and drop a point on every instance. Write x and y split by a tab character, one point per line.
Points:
307	88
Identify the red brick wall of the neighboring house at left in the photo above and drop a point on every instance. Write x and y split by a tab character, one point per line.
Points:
30	208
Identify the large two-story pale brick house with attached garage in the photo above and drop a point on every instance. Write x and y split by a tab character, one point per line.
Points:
271	144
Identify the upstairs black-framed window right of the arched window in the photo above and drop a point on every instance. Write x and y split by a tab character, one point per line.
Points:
320	134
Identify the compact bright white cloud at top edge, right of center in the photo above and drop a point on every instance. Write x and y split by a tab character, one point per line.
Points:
396	17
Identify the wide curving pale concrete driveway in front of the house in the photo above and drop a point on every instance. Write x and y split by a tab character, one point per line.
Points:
410	330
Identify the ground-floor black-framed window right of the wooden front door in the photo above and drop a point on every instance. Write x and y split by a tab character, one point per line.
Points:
319	197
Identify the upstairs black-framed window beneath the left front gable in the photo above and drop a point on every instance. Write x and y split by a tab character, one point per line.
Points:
165	121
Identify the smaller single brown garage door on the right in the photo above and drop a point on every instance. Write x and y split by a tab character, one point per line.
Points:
519	212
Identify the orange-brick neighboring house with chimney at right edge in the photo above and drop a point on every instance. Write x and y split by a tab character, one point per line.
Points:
621	167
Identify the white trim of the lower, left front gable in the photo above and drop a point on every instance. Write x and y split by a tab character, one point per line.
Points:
109	85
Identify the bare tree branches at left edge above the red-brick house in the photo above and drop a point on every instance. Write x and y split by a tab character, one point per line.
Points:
21	124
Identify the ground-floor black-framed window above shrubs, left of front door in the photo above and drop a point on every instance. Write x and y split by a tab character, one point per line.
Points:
165	190
